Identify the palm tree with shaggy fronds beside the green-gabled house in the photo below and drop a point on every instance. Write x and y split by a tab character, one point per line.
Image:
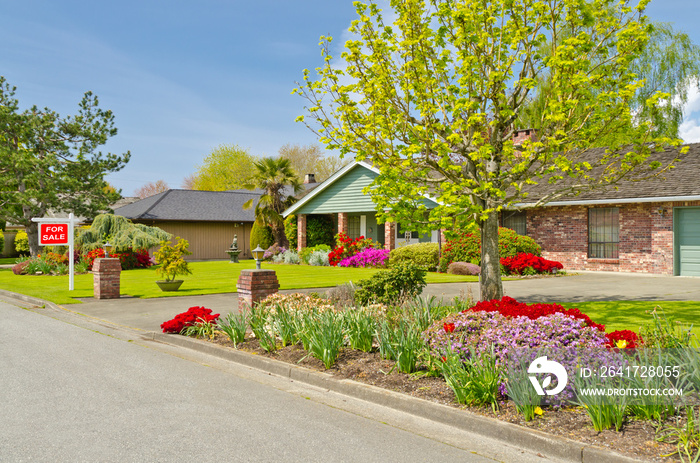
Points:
280	183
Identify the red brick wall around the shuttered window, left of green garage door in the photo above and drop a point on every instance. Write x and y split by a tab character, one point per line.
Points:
646	237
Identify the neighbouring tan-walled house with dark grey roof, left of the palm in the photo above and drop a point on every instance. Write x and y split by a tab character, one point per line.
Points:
208	220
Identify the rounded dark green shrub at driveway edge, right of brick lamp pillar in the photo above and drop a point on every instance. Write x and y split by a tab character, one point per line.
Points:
393	286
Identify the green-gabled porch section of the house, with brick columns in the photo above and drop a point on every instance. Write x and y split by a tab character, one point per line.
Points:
341	196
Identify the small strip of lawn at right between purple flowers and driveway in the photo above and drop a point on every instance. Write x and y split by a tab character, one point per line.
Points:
631	315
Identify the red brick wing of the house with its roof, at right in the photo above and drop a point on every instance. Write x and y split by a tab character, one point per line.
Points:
648	226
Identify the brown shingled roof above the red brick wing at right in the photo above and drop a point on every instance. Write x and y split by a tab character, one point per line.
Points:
680	183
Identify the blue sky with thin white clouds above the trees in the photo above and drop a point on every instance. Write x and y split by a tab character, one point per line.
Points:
183	77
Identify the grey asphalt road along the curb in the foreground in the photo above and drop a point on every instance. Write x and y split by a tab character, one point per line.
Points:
75	390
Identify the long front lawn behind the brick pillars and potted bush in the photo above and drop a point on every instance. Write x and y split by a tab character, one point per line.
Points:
209	277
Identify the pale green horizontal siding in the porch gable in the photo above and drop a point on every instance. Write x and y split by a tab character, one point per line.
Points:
345	195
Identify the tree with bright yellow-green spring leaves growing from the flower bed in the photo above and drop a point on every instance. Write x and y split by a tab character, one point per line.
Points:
432	100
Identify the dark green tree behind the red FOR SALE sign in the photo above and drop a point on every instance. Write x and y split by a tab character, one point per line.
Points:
51	162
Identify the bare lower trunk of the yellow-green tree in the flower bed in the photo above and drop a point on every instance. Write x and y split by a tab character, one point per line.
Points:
490	284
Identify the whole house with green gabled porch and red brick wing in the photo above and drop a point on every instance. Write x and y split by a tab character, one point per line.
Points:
647	226
